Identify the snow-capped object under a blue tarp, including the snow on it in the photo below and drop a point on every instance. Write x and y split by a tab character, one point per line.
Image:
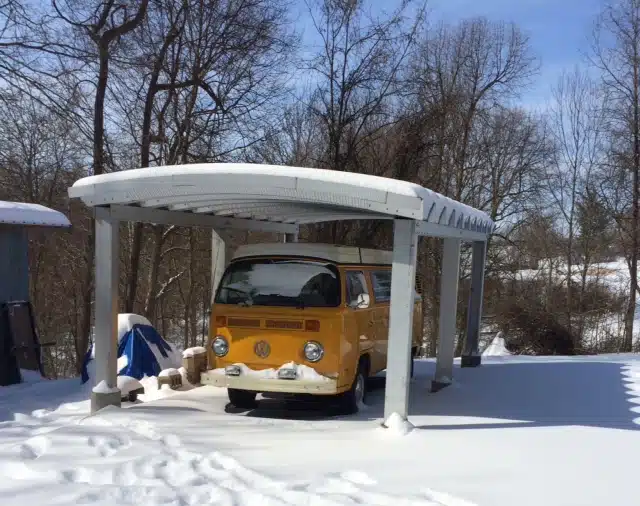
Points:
141	350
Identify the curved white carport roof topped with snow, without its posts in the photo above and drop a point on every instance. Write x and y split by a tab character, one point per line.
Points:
293	195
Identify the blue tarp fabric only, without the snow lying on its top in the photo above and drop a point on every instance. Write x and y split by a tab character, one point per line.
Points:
135	345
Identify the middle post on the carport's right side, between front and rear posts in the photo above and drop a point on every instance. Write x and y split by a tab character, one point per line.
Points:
448	312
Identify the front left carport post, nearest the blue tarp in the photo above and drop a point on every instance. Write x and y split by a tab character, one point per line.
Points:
106	312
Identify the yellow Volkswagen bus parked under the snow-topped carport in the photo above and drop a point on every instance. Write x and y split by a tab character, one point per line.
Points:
302	318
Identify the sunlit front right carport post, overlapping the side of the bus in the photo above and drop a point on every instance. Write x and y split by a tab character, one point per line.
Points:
403	273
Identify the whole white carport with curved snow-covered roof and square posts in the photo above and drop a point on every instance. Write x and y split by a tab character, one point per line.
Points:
280	199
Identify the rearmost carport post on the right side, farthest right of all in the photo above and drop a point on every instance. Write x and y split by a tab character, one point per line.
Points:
471	355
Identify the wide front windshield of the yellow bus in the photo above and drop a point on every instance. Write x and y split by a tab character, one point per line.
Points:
275	282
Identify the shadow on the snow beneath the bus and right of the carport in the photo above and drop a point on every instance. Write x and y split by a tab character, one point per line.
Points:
541	394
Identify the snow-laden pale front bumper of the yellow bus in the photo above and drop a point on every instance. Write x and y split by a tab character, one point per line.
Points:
218	378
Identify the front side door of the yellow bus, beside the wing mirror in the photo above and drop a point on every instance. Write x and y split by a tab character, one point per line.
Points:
359	304
